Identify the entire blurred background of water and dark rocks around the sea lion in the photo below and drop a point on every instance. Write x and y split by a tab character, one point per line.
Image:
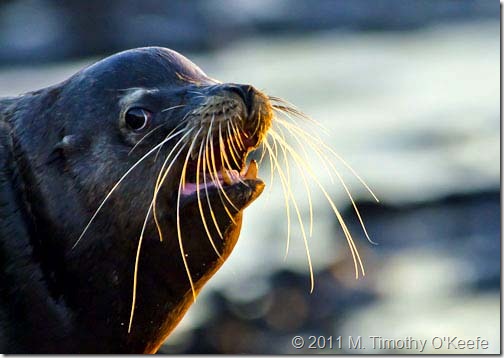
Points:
409	93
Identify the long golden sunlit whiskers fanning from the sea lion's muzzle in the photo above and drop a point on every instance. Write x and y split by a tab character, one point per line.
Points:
194	139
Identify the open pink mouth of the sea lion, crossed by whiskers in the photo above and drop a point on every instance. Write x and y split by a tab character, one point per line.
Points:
220	167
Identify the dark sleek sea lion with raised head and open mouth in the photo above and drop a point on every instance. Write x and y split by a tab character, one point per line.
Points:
125	182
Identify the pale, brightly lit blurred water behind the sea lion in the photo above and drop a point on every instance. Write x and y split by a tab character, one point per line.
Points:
417	115
